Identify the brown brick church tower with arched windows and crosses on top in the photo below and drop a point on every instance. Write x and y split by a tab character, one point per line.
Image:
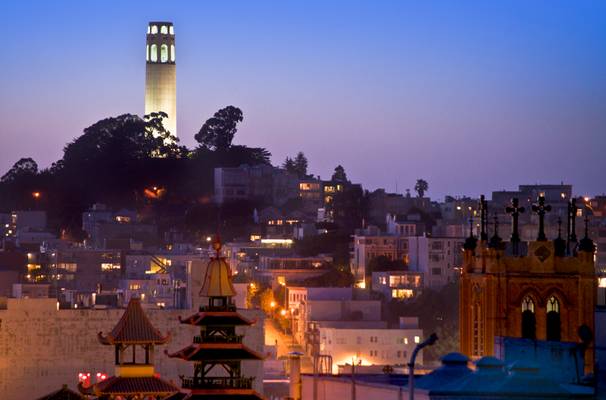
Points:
541	290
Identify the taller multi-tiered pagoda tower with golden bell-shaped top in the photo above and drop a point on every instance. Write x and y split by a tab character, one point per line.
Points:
218	352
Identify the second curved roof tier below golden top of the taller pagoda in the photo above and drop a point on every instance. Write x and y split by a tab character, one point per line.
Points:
216	352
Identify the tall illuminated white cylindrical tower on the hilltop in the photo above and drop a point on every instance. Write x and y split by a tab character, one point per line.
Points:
160	73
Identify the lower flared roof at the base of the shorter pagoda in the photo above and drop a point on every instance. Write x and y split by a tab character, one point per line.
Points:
117	385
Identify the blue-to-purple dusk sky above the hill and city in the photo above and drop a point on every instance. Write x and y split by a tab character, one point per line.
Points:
472	96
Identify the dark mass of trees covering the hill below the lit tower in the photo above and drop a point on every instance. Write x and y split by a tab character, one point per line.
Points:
118	161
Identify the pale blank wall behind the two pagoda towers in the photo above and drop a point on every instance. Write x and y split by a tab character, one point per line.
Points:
42	348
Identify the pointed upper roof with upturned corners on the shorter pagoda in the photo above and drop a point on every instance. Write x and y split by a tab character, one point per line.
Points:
134	328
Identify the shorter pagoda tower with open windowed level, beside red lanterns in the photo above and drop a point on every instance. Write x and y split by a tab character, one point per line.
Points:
135	377
